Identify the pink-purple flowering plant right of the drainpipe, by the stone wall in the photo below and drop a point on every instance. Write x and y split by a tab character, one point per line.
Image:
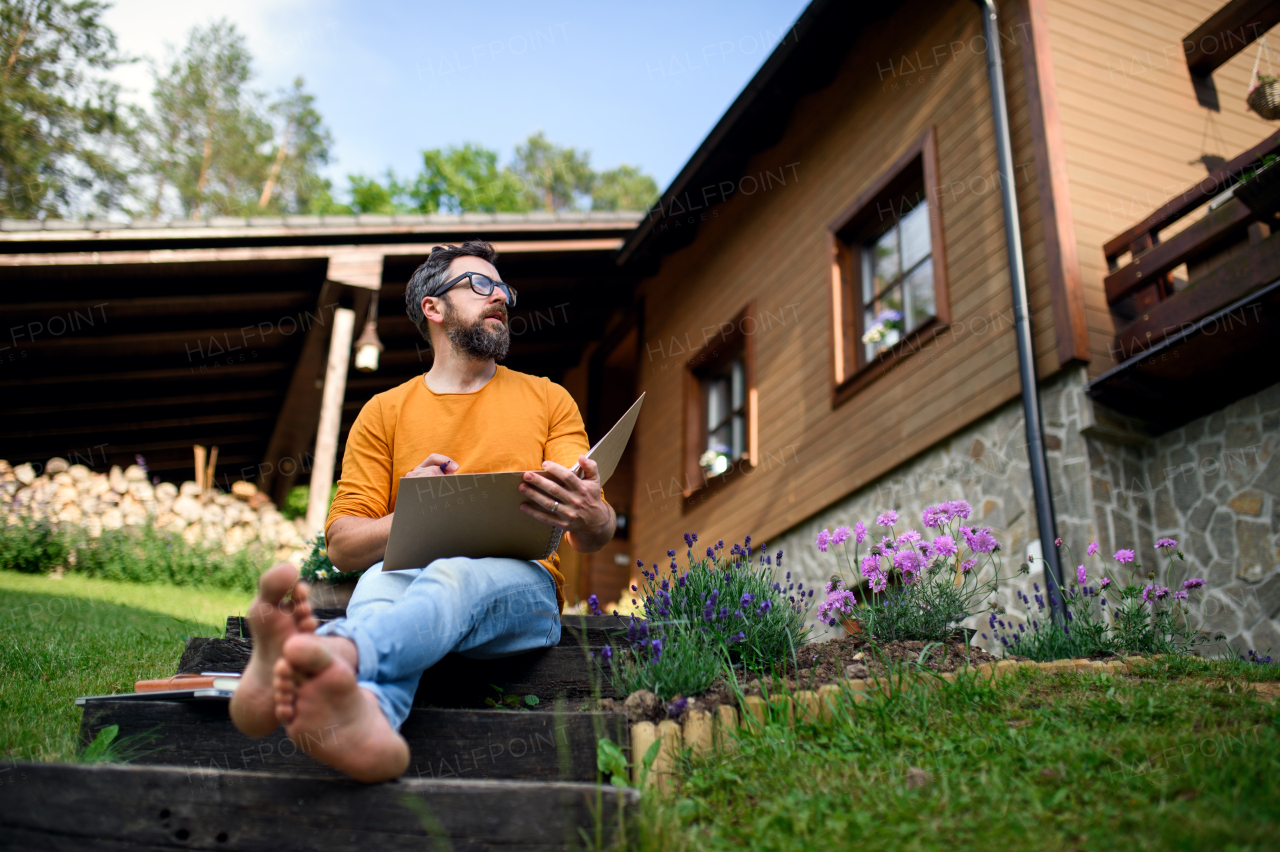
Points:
1105	617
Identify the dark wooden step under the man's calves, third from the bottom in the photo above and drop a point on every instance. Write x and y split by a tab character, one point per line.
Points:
459	682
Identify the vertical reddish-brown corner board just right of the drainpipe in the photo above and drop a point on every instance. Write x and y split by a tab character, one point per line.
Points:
1062	250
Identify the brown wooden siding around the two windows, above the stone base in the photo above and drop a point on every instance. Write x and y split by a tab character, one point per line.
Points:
771	248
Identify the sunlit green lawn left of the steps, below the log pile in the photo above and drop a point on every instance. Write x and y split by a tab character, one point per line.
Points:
61	639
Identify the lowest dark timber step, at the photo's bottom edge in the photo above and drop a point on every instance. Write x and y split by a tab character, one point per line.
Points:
75	808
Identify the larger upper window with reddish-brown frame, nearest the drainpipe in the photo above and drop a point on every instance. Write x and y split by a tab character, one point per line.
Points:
889	277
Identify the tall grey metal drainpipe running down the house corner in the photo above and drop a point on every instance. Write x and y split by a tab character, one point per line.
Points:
1022	323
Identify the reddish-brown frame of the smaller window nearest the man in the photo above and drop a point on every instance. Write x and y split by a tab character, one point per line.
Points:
710	361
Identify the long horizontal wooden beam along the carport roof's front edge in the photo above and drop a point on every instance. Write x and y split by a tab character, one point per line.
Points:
351	254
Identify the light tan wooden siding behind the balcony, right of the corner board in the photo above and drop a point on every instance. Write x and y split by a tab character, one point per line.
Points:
1132	126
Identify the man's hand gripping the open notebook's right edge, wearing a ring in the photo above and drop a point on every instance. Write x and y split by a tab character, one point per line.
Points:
577	505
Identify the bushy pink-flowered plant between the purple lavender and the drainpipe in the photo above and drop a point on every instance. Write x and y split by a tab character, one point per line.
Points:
915	589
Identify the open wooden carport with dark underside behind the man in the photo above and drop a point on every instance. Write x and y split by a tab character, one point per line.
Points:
145	340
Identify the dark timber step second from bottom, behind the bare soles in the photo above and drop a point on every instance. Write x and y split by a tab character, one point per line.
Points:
444	744
